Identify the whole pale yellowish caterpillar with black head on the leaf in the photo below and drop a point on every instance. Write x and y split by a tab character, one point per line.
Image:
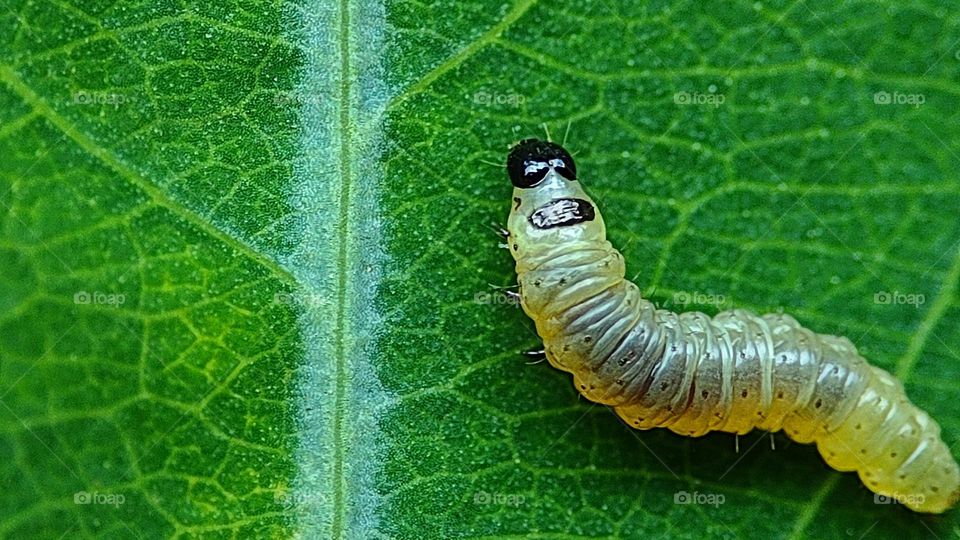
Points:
694	374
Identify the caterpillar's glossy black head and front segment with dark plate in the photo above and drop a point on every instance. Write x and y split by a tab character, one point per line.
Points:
549	205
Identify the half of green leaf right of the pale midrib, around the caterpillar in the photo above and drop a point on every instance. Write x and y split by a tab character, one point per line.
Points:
796	192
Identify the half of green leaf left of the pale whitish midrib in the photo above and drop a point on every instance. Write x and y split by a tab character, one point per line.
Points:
149	376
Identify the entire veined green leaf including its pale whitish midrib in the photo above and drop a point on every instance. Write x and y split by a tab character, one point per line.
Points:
247	261
